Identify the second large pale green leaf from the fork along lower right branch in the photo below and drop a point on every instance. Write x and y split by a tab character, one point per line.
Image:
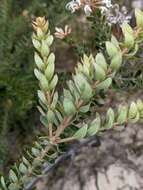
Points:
94	126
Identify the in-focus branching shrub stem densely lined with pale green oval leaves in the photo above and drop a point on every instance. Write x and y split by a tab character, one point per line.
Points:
61	112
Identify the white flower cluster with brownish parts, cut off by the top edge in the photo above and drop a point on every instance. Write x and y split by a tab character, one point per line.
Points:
89	5
